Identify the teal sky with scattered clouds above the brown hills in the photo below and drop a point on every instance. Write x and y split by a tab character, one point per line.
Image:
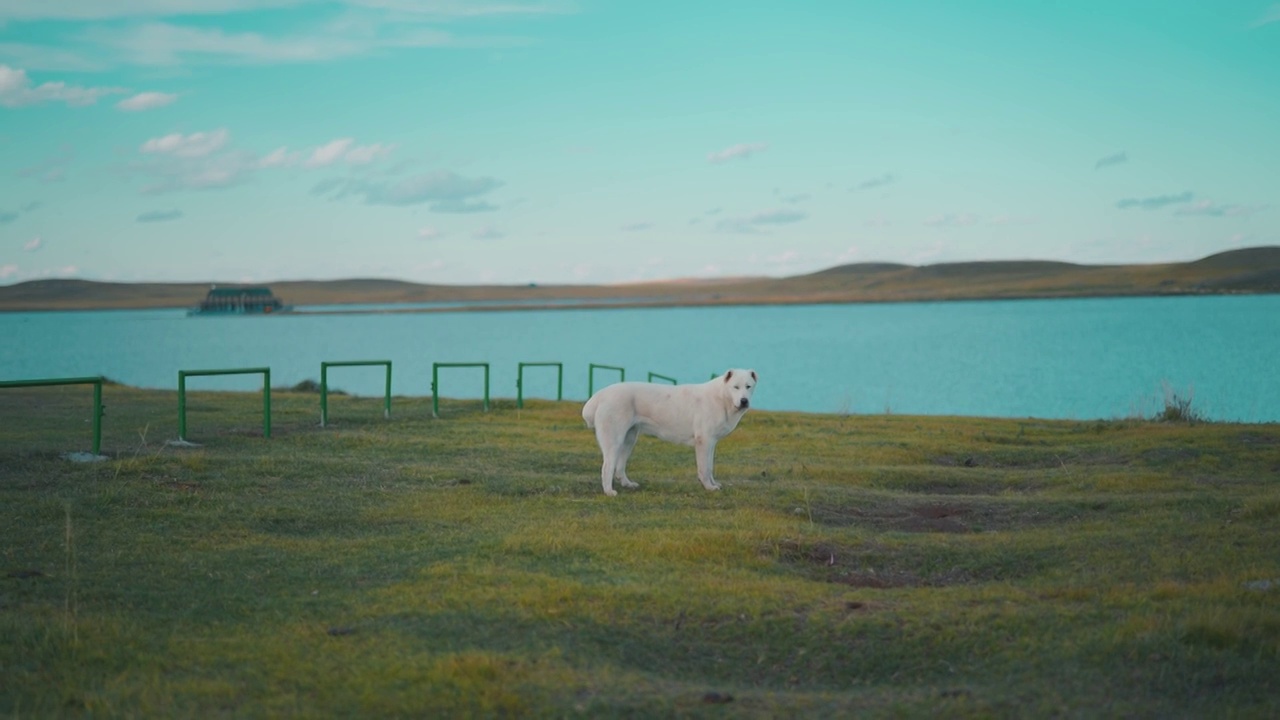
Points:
614	142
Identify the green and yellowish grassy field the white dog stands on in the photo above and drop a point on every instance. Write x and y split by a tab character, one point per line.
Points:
870	566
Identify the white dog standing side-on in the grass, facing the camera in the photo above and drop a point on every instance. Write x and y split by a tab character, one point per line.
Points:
698	416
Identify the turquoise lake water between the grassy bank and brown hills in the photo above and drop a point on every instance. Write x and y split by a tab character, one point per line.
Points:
1075	359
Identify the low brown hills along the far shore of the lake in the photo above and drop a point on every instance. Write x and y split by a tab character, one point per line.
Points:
1250	271
